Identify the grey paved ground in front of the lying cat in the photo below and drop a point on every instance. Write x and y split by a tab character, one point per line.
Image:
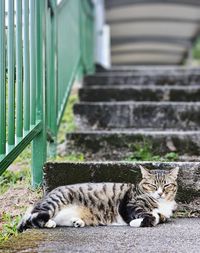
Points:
180	235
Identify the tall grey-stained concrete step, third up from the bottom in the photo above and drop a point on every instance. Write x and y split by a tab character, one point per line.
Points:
137	115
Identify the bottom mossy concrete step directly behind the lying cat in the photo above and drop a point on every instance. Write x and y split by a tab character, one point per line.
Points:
72	173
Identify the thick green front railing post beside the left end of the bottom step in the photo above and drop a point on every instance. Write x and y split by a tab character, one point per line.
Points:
39	143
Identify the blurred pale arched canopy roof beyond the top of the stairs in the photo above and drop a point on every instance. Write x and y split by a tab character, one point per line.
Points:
146	32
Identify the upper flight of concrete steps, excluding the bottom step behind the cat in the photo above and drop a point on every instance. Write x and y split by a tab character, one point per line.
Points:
119	108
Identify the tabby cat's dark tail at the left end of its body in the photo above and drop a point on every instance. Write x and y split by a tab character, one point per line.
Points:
33	220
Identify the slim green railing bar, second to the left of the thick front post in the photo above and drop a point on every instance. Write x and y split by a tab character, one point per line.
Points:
26	66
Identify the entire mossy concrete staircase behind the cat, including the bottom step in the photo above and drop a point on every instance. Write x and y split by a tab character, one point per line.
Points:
125	107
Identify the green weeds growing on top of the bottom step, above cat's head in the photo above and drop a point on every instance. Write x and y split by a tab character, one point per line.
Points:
143	152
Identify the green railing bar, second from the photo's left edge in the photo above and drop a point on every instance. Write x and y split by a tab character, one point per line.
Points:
11	85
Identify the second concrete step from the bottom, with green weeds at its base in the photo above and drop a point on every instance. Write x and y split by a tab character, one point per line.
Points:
120	145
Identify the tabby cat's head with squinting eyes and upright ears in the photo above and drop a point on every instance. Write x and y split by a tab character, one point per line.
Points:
160	184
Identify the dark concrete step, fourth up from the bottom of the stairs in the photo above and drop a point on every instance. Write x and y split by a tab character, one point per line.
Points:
139	93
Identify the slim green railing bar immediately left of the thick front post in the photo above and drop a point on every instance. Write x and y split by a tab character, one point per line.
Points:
32	62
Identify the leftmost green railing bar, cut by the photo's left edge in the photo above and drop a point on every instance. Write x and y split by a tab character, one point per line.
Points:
3	81
